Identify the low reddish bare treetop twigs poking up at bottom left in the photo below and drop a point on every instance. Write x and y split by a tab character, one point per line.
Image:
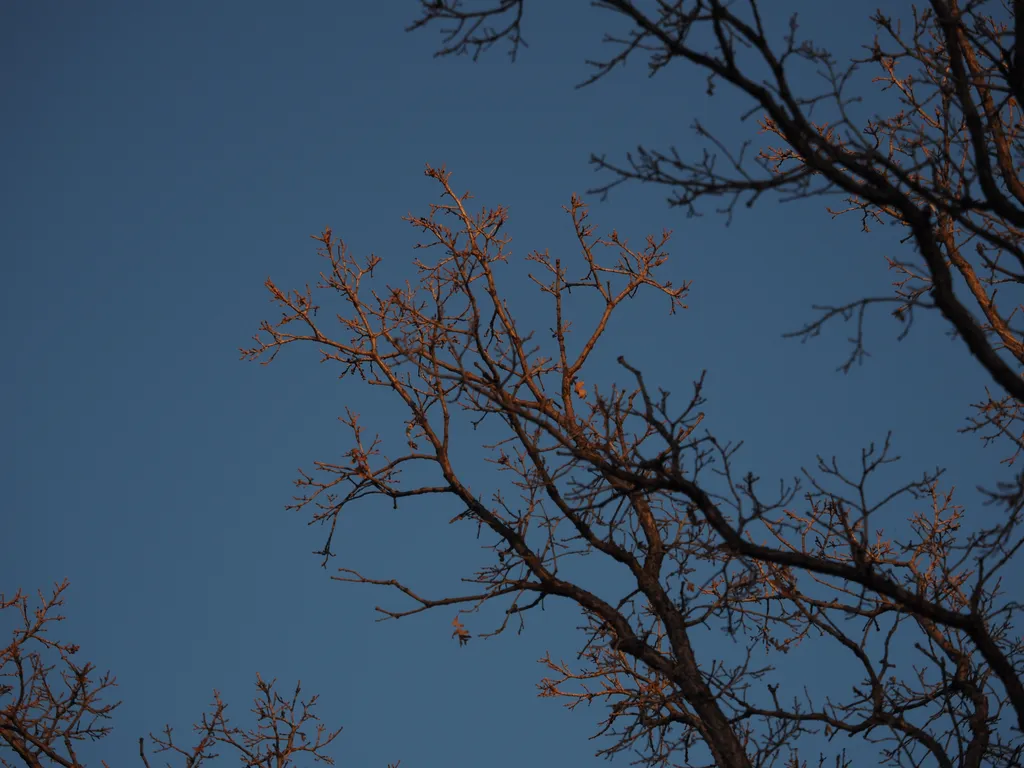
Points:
50	705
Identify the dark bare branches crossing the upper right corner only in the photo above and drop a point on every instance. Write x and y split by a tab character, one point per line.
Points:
940	155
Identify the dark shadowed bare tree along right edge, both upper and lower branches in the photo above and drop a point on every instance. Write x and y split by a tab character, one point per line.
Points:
932	144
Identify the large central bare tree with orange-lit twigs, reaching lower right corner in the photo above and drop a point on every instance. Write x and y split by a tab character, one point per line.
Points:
628	476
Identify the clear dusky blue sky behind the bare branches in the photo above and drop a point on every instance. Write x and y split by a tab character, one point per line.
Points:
161	160
